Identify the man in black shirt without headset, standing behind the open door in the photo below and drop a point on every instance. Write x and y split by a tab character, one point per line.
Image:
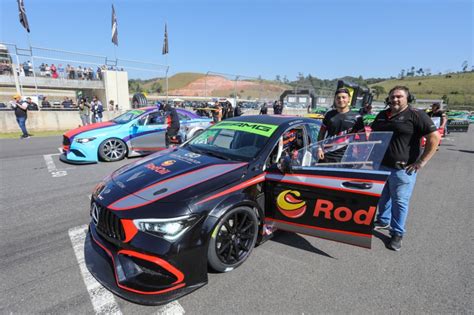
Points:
338	122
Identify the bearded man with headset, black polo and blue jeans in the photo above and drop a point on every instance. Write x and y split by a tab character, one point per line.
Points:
402	159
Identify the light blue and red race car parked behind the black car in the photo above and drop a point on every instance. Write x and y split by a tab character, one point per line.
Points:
135	132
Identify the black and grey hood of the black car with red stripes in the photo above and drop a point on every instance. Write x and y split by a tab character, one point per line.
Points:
174	175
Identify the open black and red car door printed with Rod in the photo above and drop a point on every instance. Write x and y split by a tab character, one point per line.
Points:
335	200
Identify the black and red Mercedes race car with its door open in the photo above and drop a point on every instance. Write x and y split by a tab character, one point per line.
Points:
158	223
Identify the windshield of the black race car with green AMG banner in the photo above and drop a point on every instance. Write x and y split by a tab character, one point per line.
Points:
232	140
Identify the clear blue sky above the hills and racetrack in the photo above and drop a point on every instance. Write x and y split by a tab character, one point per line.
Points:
328	39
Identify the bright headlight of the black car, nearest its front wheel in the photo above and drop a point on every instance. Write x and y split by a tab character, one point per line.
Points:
169	229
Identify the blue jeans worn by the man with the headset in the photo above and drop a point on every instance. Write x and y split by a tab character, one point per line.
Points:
395	199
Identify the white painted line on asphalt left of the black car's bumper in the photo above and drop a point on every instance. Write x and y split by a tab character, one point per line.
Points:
102	300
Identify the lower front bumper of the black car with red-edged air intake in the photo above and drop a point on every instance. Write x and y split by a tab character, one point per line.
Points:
135	276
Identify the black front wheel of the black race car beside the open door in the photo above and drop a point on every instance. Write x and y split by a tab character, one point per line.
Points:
232	239
